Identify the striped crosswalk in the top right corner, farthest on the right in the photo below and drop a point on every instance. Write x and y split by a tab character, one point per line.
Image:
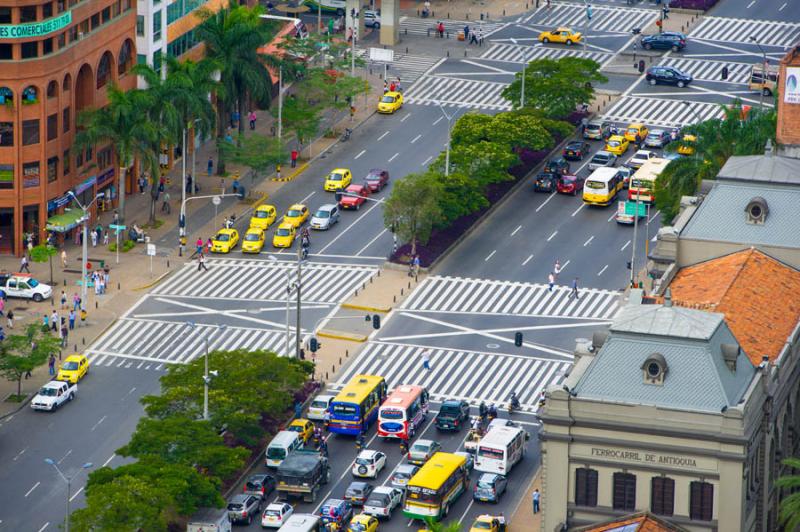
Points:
767	32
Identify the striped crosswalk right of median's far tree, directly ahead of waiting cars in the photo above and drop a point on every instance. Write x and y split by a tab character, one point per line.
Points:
657	112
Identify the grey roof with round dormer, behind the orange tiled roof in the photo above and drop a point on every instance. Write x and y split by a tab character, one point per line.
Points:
721	216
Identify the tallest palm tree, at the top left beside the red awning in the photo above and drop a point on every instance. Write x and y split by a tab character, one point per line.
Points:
232	37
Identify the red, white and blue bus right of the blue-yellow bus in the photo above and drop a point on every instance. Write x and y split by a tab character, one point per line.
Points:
402	413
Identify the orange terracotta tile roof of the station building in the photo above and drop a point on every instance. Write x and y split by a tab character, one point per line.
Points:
757	294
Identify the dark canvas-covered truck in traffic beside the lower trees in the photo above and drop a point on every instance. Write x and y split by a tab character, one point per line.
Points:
302	474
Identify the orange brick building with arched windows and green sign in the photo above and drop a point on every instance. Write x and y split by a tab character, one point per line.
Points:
56	59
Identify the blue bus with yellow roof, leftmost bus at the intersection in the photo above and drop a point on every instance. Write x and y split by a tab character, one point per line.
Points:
356	406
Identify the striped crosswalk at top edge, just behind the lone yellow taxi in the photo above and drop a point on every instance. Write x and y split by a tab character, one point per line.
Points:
604	18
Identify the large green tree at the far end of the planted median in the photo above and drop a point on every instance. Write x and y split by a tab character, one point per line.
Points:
556	87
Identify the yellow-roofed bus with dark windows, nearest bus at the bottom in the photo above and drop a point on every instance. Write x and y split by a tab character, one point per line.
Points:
435	487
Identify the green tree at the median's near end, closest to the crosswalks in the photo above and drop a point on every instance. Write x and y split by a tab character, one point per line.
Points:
412	208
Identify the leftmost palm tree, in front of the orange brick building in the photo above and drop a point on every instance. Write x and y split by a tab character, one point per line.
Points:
125	125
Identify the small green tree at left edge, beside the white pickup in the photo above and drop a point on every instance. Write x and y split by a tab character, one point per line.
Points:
20	354
